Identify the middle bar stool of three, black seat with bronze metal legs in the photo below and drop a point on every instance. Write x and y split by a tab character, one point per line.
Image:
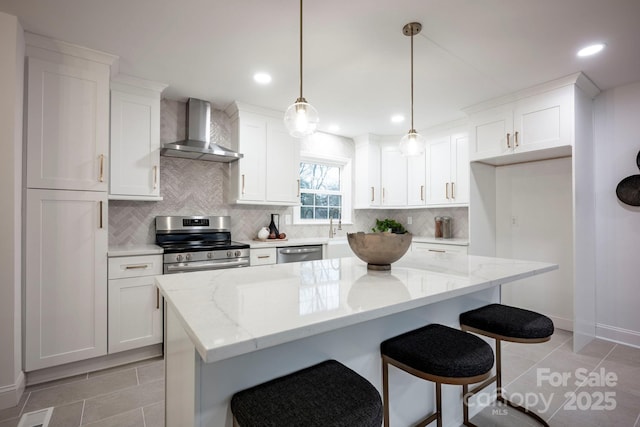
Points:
439	354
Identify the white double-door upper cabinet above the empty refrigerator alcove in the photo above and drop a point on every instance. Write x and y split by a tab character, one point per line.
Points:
536	124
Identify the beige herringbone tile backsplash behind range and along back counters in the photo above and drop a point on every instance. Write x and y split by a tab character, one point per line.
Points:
191	187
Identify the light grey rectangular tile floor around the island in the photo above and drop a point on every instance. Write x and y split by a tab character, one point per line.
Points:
132	395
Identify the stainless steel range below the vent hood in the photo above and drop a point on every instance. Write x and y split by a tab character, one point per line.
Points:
197	243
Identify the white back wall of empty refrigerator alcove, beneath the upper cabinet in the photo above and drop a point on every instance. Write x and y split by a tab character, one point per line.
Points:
534	220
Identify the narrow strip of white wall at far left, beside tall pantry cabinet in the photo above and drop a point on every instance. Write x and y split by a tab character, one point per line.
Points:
11	88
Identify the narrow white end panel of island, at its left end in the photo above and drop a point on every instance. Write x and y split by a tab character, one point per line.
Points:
180	374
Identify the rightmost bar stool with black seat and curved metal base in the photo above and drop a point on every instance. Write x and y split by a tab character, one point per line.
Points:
505	323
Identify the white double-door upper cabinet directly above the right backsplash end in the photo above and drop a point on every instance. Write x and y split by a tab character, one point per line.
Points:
448	170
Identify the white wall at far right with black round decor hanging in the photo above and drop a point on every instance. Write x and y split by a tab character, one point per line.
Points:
617	142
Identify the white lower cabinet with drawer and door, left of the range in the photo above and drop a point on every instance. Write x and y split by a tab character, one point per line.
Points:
135	304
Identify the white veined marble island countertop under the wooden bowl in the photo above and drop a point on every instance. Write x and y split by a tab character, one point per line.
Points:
231	312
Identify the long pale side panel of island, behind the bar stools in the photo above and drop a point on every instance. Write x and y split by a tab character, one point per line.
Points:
357	346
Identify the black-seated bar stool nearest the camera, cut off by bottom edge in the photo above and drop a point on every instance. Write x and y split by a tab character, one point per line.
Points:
324	395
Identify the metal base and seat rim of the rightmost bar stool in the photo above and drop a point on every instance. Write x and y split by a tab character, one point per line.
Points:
497	378
